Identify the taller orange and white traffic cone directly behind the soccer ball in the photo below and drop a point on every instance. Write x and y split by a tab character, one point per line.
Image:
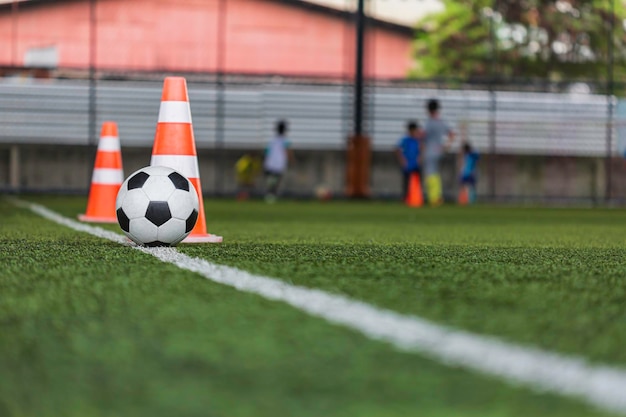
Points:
175	147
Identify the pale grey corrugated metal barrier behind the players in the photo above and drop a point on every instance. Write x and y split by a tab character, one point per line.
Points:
57	112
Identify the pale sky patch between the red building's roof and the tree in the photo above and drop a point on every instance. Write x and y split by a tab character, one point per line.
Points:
405	12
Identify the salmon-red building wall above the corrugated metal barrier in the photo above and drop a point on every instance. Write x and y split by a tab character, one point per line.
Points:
261	36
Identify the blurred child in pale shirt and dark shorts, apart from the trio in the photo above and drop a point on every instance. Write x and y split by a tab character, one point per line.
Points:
277	156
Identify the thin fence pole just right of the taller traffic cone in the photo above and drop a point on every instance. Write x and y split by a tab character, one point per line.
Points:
219	103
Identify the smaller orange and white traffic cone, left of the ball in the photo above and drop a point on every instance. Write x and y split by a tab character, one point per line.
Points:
107	178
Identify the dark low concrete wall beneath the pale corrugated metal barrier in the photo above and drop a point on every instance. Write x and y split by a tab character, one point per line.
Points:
519	178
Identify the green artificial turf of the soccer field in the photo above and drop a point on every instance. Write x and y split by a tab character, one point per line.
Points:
92	327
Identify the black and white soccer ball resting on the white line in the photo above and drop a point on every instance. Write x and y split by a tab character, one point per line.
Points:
157	206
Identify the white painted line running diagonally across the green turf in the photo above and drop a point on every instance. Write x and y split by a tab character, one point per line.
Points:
601	386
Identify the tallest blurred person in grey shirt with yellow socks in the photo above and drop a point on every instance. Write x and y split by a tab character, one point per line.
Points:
436	131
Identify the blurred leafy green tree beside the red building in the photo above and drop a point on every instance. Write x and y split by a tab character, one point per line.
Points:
563	39
